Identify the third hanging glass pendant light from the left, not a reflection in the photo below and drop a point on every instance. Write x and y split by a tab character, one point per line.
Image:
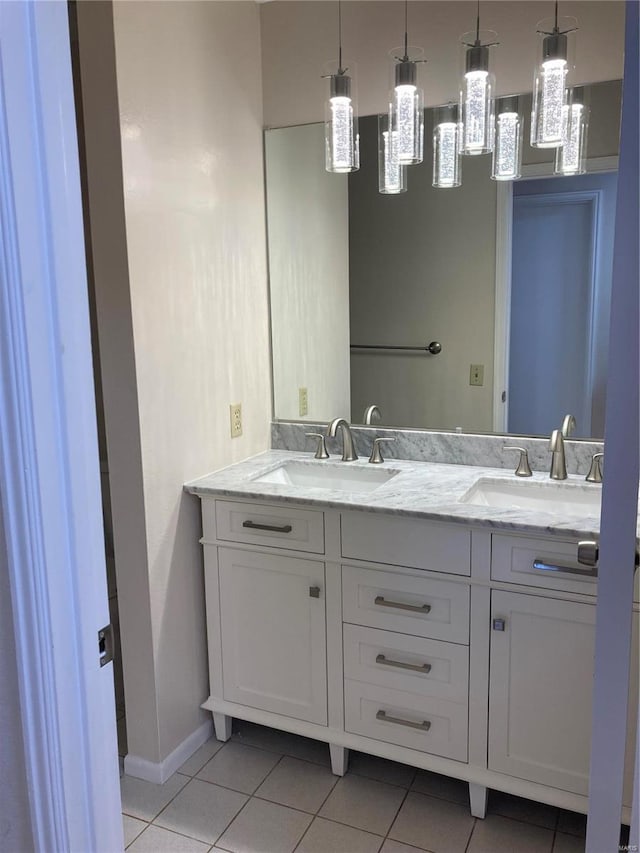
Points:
476	90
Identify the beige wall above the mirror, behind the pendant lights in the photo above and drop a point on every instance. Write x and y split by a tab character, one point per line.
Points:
299	37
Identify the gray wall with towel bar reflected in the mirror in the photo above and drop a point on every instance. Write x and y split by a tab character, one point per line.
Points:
422	268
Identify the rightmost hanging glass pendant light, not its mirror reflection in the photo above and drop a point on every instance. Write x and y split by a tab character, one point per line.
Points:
550	81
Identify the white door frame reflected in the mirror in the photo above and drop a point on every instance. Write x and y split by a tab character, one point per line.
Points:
504	248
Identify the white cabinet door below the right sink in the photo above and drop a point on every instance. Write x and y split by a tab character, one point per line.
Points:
541	680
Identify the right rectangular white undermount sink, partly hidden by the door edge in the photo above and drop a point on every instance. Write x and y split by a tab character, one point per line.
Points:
575	499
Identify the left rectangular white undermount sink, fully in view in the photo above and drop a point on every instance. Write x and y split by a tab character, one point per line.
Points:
340	477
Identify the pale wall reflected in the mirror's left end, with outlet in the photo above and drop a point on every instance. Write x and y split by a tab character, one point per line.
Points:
308	216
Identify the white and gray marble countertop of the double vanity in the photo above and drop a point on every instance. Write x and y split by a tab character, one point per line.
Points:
419	489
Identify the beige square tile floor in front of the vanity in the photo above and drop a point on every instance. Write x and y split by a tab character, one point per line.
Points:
269	792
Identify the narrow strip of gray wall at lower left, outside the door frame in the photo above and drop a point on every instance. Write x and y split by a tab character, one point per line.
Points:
15	818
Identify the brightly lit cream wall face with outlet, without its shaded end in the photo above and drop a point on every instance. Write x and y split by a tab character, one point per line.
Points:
189	88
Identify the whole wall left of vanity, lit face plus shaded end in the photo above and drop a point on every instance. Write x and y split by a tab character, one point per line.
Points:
179	257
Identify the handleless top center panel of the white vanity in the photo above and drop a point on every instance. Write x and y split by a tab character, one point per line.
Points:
406	542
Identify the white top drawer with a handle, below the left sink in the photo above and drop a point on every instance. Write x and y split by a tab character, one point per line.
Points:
262	524
